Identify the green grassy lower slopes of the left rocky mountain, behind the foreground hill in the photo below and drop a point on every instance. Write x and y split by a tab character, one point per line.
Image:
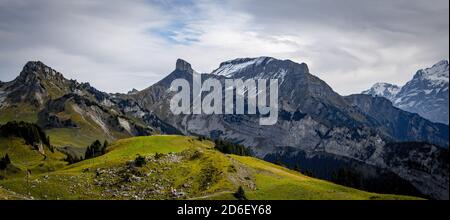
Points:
89	125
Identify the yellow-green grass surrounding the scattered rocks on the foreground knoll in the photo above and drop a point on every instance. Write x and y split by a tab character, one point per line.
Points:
76	181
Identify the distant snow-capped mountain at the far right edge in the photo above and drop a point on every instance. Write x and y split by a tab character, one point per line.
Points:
426	94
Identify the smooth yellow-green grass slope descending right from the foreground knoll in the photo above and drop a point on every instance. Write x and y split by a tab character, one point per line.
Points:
278	183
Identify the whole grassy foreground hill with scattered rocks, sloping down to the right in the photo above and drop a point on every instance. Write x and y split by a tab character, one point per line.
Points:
177	167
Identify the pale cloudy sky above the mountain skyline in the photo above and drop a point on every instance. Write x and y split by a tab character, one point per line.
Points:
118	45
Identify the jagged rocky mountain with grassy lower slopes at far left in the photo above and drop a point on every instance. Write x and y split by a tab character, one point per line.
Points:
65	107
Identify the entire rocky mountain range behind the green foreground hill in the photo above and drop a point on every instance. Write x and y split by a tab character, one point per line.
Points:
368	135
